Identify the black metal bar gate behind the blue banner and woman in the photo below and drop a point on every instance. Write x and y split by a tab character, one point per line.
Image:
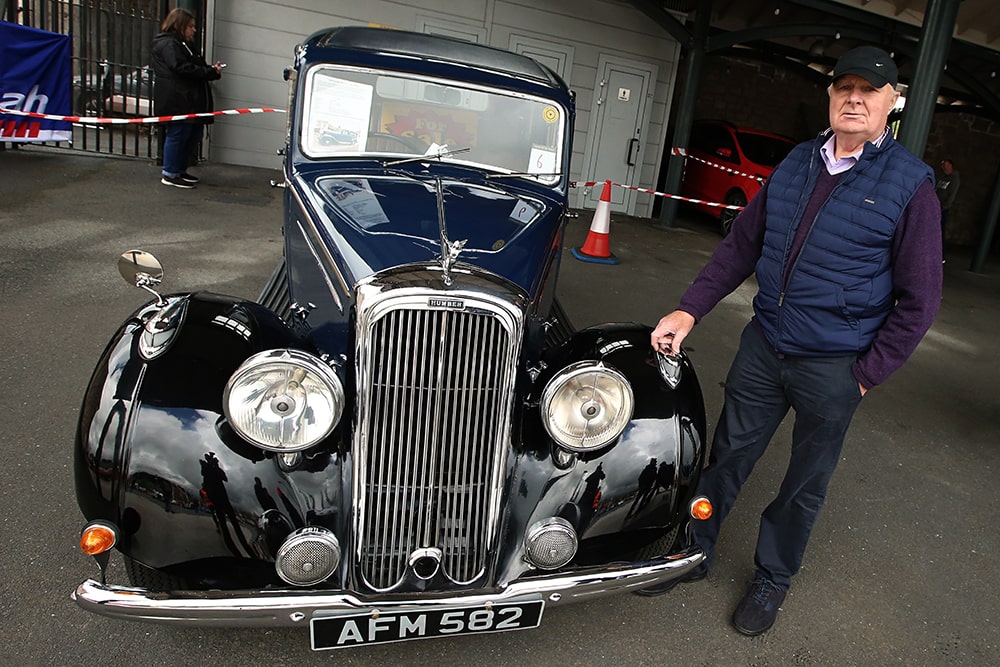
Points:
110	52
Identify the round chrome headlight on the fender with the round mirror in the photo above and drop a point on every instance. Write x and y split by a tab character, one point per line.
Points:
283	400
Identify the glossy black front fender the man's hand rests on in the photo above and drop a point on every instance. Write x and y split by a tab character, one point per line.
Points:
621	497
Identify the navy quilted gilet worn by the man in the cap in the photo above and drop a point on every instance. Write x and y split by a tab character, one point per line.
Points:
839	291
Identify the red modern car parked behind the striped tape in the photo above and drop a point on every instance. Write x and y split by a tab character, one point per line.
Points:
728	164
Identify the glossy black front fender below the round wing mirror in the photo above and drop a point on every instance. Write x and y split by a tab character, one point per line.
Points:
155	455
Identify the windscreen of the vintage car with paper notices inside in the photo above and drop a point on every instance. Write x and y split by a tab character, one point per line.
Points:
351	112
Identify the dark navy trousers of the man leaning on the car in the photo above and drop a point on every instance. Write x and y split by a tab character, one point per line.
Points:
760	389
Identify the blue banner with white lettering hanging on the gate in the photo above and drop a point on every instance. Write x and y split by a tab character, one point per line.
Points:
34	77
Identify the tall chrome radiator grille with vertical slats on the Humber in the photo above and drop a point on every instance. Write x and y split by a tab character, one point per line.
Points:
436	389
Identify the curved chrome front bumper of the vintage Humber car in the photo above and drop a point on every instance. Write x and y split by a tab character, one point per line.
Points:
292	607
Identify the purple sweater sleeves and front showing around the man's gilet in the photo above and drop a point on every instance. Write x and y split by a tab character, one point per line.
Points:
916	274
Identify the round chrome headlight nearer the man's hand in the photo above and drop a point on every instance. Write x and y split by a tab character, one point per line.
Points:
586	406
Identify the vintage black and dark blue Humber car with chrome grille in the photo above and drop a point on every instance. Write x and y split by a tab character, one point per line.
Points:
404	437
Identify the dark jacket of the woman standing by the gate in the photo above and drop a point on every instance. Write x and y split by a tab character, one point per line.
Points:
182	78
